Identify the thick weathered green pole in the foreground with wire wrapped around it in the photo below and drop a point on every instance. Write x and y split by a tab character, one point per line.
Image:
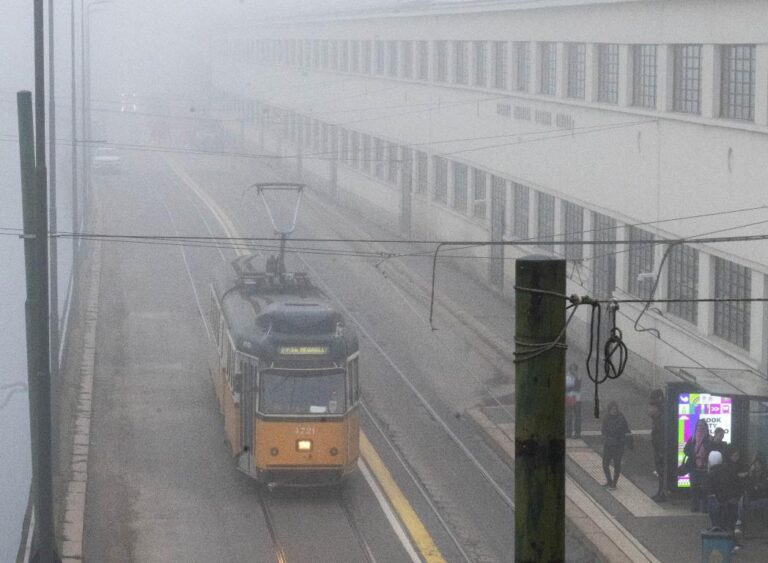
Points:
539	411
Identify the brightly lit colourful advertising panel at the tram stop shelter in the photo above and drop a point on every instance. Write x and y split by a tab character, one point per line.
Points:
716	410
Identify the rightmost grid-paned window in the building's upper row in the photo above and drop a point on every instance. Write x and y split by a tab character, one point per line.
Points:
737	91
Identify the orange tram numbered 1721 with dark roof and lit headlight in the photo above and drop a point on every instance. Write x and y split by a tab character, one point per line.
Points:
287	382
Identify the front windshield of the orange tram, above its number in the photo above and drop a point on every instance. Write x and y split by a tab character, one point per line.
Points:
302	392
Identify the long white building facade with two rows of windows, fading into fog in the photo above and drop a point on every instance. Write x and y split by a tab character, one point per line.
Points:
586	120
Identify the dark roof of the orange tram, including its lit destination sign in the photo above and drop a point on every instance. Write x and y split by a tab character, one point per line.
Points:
267	314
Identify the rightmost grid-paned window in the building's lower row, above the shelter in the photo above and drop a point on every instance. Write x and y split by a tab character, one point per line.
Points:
732	318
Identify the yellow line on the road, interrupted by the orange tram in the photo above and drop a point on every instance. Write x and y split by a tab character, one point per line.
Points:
405	512
